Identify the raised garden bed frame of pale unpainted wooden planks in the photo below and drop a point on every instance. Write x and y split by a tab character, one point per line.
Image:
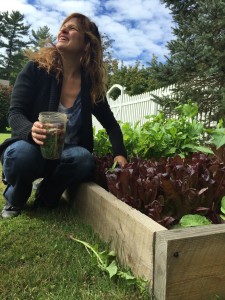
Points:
181	263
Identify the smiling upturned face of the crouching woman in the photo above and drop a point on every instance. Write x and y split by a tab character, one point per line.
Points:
70	40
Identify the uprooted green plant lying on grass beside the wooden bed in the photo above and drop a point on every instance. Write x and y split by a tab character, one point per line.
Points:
106	261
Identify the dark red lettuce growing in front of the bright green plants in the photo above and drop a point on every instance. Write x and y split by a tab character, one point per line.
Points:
167	189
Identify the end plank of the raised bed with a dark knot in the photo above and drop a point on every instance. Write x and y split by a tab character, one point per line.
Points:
190	263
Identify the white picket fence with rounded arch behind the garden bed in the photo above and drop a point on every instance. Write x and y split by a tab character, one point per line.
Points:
134	108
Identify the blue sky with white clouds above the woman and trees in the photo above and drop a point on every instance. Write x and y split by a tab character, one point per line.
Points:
139	28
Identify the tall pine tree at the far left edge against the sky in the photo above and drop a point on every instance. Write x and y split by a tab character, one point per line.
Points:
12	34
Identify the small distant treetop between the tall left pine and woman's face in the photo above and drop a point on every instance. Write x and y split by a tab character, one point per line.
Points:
39	37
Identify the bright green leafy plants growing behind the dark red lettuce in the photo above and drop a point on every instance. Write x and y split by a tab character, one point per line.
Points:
160	136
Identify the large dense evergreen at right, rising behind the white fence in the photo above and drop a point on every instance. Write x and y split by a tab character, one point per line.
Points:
197	58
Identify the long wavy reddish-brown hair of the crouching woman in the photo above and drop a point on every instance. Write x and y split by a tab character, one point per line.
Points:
92	65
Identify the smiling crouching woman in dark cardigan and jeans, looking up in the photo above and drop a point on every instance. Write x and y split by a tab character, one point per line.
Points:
69	78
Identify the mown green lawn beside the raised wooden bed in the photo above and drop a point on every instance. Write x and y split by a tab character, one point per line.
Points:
39	261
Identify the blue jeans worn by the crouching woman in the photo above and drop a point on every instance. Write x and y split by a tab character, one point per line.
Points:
23	163
